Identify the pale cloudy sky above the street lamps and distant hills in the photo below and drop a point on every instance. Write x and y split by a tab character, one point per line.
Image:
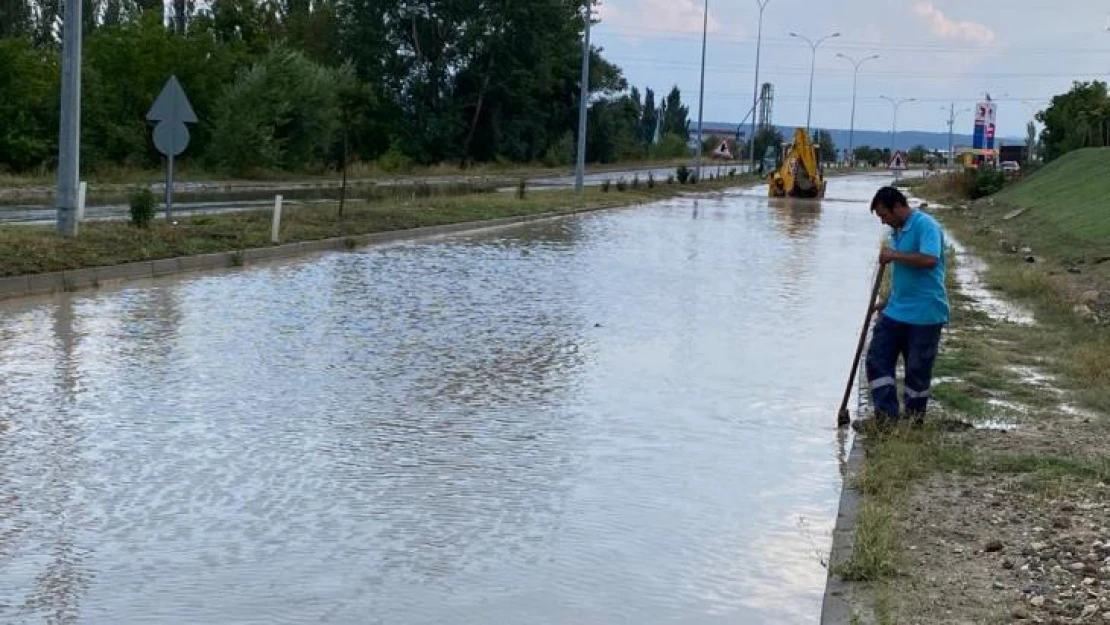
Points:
939	52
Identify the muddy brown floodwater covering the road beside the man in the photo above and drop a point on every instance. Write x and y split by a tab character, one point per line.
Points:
622	418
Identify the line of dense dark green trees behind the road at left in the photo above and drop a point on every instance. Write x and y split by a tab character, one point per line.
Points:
310	85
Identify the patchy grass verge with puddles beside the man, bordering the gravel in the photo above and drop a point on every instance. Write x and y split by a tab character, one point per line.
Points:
983	375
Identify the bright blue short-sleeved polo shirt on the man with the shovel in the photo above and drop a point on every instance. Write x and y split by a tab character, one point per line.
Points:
919	296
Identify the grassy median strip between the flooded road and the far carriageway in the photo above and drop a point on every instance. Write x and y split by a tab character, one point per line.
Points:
27	250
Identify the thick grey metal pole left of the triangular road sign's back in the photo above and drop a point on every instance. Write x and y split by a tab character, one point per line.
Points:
69	136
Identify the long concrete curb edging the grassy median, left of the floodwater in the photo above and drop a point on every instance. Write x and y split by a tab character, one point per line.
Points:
74	280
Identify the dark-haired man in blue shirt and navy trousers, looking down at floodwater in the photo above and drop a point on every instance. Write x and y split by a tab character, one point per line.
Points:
911	321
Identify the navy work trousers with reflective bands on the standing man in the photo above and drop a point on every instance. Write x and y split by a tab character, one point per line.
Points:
917	346
